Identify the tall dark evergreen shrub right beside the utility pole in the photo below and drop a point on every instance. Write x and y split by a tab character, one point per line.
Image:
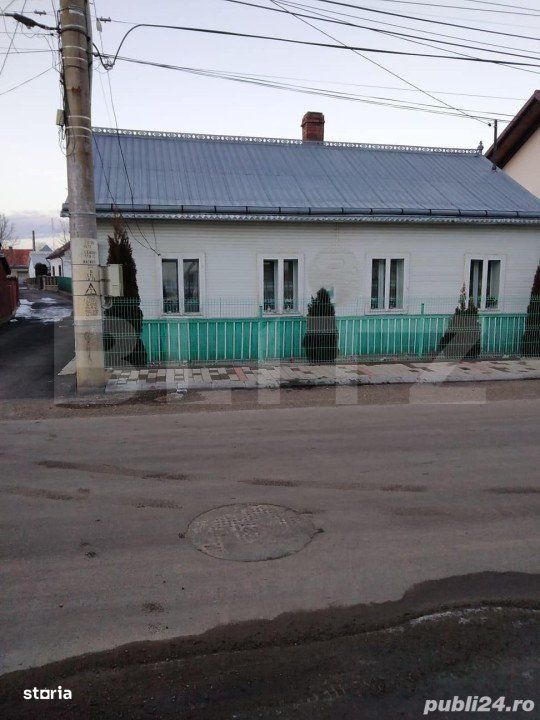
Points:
123	319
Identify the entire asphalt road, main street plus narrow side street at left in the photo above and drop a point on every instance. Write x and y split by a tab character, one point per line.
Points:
412	503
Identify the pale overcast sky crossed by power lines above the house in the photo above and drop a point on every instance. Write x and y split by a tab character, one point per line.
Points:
33	177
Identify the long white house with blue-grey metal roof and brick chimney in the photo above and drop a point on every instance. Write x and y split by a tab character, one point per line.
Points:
248	227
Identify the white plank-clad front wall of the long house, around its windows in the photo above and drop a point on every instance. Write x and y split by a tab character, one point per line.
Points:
335	255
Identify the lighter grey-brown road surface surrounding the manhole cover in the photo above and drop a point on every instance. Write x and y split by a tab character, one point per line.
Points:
95	513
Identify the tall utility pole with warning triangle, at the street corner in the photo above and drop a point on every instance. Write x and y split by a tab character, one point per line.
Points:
75	30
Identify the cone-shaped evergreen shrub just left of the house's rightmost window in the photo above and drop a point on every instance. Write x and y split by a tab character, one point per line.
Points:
462	339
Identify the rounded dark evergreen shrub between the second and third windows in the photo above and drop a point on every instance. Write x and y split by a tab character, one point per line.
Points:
321	338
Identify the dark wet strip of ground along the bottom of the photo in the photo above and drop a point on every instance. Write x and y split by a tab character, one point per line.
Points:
330	671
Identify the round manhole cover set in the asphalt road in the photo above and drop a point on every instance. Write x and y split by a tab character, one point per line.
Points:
250	532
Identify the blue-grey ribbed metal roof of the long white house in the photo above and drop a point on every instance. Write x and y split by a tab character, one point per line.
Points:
220	175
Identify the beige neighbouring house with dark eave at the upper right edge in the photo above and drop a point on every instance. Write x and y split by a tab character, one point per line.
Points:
518	147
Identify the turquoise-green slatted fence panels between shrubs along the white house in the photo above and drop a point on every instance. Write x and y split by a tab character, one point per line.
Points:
210	340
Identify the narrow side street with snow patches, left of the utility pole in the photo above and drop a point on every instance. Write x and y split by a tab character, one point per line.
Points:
34	345
